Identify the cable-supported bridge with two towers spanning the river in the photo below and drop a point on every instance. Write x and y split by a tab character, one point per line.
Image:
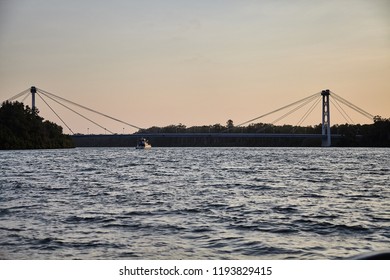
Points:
312	101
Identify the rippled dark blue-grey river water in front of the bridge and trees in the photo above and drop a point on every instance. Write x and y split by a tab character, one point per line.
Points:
194	203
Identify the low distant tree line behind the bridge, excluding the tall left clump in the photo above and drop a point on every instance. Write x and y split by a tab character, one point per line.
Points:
368	135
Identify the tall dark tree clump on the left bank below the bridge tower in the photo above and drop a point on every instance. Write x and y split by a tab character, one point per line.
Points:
22	128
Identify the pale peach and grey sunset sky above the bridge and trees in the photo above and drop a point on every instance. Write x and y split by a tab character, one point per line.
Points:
157	63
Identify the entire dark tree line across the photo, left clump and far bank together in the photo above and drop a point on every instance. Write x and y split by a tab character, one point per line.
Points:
21	127
